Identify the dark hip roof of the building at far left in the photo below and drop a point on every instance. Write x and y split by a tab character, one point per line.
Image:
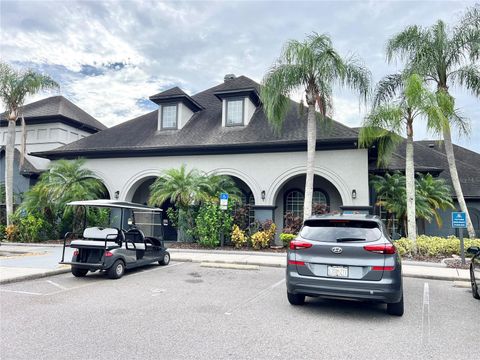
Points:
58	106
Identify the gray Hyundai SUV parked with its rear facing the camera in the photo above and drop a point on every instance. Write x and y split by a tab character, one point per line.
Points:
345	257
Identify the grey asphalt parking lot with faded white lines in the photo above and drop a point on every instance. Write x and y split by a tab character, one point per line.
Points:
186	311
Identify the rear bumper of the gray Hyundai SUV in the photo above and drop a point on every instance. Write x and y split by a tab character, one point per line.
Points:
388	290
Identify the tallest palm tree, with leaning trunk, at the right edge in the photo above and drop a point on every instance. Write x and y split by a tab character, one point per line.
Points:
444	57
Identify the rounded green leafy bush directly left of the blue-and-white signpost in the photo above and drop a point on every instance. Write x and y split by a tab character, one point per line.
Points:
211	222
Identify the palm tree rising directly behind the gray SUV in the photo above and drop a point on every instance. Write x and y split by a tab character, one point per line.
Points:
314	67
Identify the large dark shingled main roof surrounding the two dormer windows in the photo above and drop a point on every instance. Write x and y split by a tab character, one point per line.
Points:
204	131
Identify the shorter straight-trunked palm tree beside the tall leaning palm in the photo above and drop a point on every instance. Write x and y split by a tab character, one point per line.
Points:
393	116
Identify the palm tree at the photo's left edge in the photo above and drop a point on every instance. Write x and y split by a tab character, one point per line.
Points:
14	88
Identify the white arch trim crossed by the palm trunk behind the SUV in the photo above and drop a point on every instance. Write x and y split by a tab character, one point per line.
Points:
327	174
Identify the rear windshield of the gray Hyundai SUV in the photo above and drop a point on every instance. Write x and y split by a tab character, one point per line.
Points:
340	230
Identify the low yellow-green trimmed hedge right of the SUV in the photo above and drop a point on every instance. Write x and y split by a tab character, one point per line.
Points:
434	246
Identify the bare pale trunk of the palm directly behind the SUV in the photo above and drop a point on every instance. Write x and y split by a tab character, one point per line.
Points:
311	142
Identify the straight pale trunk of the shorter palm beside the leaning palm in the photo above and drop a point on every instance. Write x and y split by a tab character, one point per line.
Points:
410	185
